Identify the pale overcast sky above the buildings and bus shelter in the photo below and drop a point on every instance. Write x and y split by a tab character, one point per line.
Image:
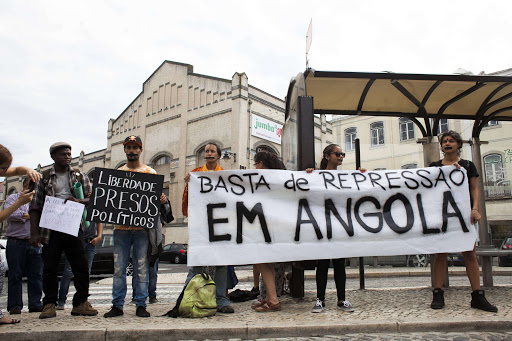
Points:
67	67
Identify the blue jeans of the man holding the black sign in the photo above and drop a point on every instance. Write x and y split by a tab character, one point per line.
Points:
123	241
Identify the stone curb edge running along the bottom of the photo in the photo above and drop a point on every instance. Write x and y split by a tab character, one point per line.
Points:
249	331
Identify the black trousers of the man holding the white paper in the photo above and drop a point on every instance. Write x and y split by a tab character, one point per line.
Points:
75	253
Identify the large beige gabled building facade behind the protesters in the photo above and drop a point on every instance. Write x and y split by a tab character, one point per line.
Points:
176	114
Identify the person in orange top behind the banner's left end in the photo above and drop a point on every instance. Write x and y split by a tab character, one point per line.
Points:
212	155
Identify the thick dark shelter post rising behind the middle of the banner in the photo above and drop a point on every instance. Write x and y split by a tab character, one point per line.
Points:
306	159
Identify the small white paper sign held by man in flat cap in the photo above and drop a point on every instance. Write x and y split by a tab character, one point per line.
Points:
60	216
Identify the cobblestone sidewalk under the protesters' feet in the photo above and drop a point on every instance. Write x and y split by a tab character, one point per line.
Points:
377	311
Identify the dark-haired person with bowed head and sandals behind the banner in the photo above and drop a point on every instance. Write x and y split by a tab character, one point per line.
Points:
269	303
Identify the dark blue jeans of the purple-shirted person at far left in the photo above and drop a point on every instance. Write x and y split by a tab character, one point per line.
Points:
24	259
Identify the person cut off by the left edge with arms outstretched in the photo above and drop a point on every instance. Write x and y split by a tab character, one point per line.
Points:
24	198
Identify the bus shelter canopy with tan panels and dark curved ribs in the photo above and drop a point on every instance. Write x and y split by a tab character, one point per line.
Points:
416	96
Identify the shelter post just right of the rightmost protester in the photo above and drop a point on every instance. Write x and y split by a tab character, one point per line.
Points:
482	224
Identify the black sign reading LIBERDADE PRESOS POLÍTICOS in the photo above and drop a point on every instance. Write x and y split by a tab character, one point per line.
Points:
125	198
